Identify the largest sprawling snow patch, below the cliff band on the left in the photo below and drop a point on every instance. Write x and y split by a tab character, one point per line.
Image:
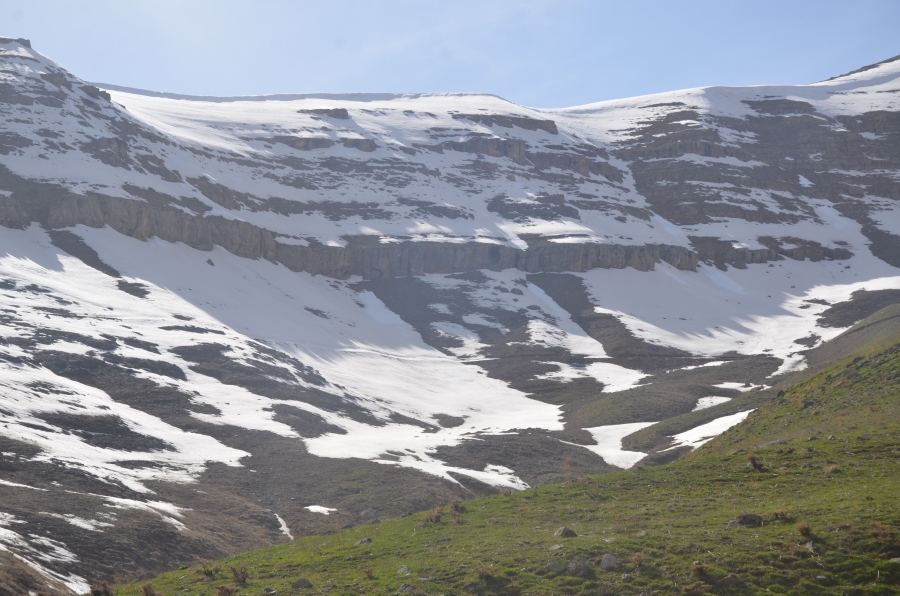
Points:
368	355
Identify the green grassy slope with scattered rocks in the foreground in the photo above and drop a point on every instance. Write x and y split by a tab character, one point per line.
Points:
846	488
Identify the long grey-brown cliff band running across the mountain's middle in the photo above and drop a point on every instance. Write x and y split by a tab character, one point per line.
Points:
55	207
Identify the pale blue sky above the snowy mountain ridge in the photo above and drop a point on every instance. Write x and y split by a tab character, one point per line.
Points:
537	53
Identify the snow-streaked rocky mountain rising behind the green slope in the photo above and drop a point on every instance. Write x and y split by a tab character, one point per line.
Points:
228	322
